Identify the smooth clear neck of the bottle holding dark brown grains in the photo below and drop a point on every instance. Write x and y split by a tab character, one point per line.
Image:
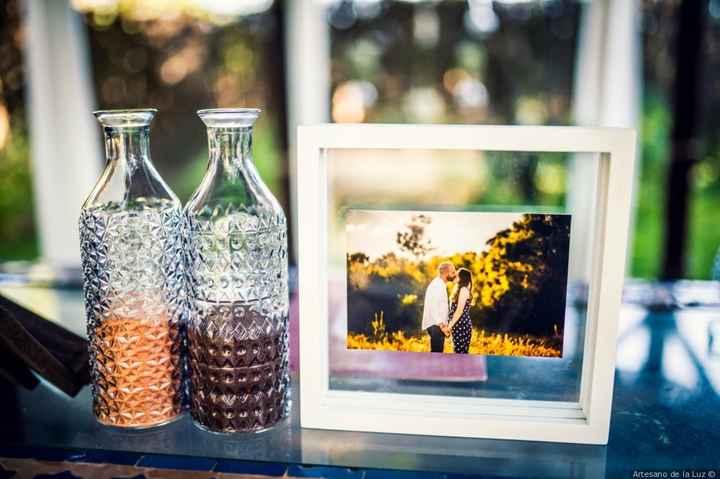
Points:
230	150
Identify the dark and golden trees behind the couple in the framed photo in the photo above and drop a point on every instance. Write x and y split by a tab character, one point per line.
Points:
519	282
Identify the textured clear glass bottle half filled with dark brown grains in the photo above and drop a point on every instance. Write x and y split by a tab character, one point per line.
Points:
237	265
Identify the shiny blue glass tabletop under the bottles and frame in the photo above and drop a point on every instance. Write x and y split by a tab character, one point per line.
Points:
666	409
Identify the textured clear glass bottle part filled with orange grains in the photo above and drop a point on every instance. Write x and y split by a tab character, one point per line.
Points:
131	235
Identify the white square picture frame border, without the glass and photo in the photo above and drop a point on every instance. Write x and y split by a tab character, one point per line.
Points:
585	421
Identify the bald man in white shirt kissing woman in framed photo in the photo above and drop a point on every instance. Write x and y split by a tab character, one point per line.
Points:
435	307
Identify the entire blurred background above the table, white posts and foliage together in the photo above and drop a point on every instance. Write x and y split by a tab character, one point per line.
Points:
646	64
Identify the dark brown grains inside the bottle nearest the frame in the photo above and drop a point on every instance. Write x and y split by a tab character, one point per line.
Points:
237	385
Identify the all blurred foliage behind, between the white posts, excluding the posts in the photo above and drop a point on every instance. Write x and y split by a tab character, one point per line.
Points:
391	62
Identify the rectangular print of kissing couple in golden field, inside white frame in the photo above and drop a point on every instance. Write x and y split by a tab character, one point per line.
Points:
457	282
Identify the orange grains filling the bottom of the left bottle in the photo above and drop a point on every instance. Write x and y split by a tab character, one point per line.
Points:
137	371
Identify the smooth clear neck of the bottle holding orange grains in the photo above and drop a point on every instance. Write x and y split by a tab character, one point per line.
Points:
129	146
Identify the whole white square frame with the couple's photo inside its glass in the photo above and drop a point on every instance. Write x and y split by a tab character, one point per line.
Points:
461	280
